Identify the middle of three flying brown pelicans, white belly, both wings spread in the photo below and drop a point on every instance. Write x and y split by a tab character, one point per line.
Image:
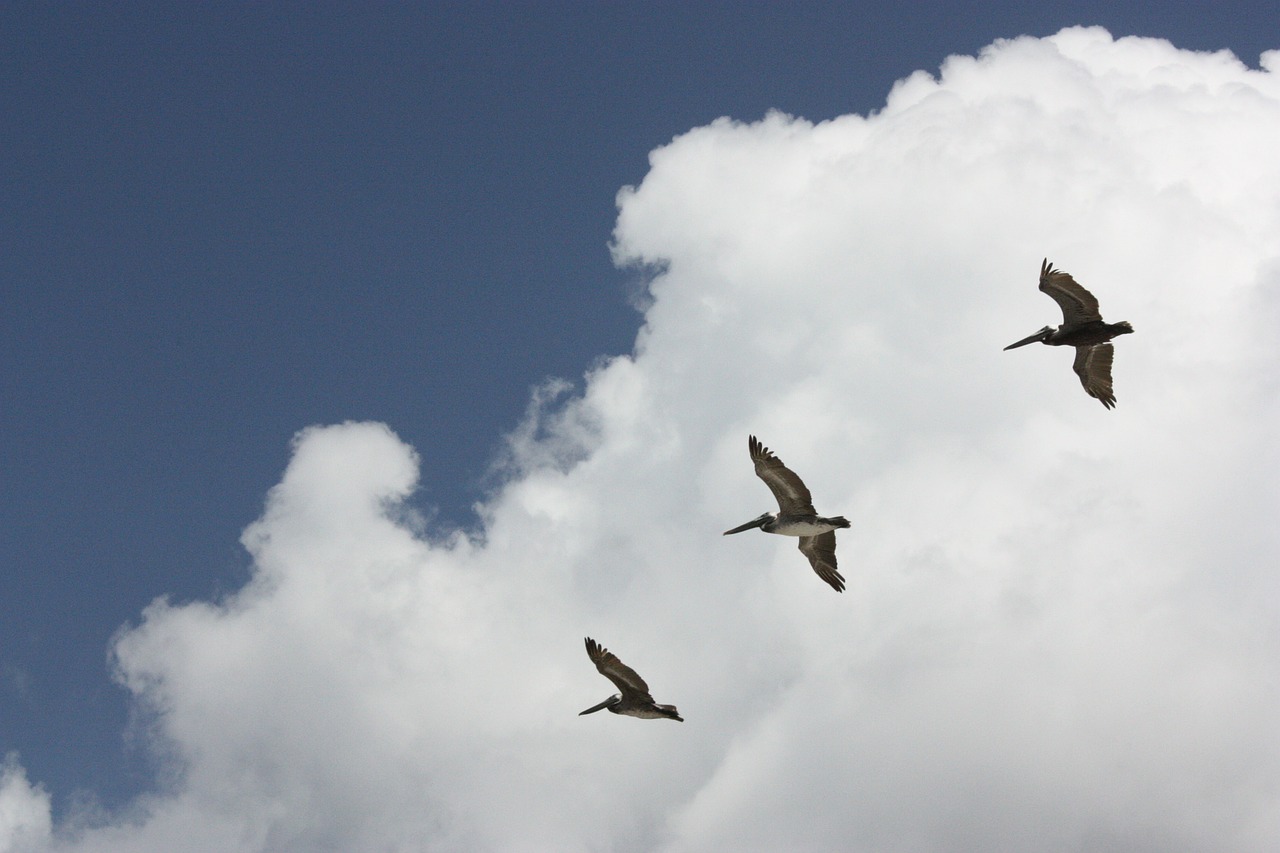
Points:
797	517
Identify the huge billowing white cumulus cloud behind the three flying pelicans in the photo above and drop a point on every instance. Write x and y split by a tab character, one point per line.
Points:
1060	623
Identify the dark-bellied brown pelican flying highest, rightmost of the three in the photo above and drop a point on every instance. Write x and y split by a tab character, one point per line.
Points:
1082	329
